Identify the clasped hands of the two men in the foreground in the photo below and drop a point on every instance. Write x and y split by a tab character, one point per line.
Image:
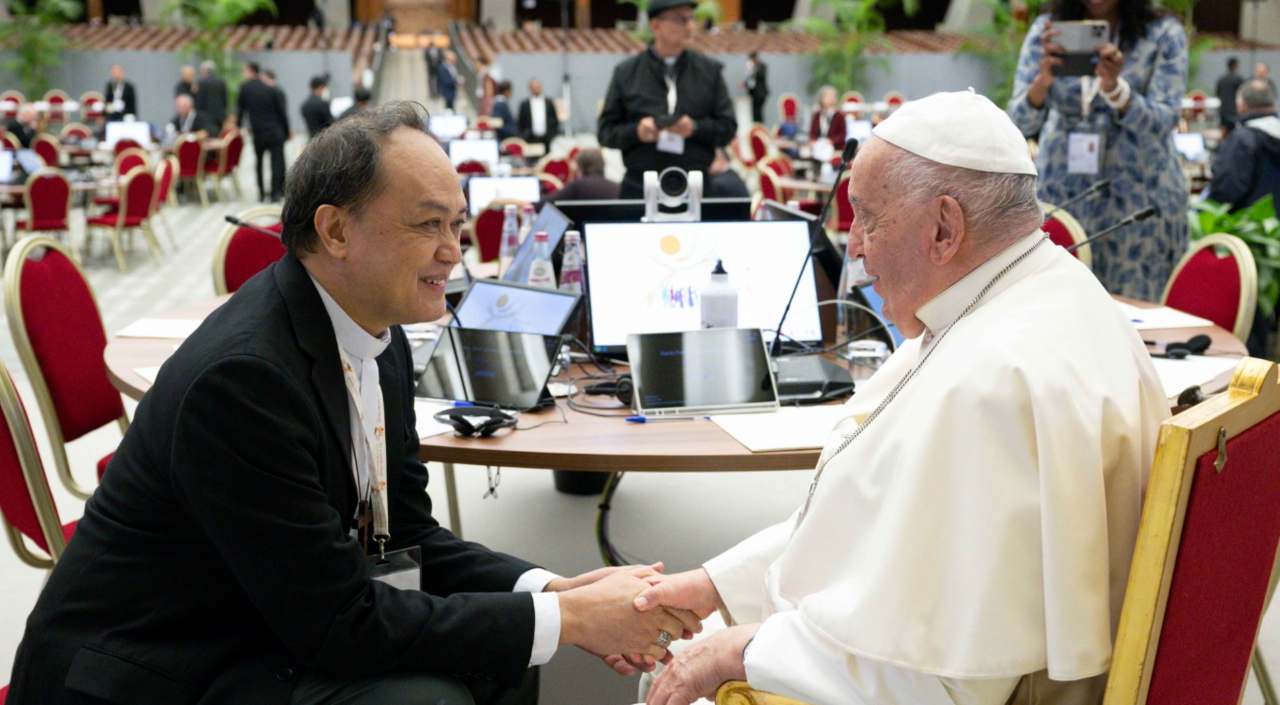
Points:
630	616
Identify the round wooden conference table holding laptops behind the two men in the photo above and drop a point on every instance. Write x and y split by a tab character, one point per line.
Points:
587	442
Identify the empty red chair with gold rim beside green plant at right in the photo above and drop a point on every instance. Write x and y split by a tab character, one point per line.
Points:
1218	280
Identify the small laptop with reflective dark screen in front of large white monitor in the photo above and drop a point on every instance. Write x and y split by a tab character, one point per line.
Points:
696	373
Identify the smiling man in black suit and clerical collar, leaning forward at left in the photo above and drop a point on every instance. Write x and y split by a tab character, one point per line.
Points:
230	553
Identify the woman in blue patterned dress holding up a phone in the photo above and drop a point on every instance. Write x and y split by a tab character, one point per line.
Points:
1133	109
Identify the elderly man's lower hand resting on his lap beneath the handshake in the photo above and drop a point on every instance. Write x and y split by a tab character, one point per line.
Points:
698	671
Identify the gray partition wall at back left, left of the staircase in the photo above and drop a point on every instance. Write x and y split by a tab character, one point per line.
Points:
156	75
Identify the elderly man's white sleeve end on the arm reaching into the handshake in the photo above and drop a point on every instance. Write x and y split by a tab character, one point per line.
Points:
739	573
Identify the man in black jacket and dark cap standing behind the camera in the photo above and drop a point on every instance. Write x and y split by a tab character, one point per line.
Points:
668	106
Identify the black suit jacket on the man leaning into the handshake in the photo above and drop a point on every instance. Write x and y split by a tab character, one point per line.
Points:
214	562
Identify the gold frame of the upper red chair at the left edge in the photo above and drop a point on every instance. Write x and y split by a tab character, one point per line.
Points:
19	328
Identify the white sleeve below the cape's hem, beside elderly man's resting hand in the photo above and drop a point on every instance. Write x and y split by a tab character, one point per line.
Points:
789	658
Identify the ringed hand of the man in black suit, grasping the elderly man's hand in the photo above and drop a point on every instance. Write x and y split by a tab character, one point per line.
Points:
602	620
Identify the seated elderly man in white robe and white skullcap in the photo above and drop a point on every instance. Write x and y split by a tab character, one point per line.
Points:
968	532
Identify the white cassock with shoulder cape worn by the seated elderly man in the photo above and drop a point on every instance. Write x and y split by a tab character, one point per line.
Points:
976	541
